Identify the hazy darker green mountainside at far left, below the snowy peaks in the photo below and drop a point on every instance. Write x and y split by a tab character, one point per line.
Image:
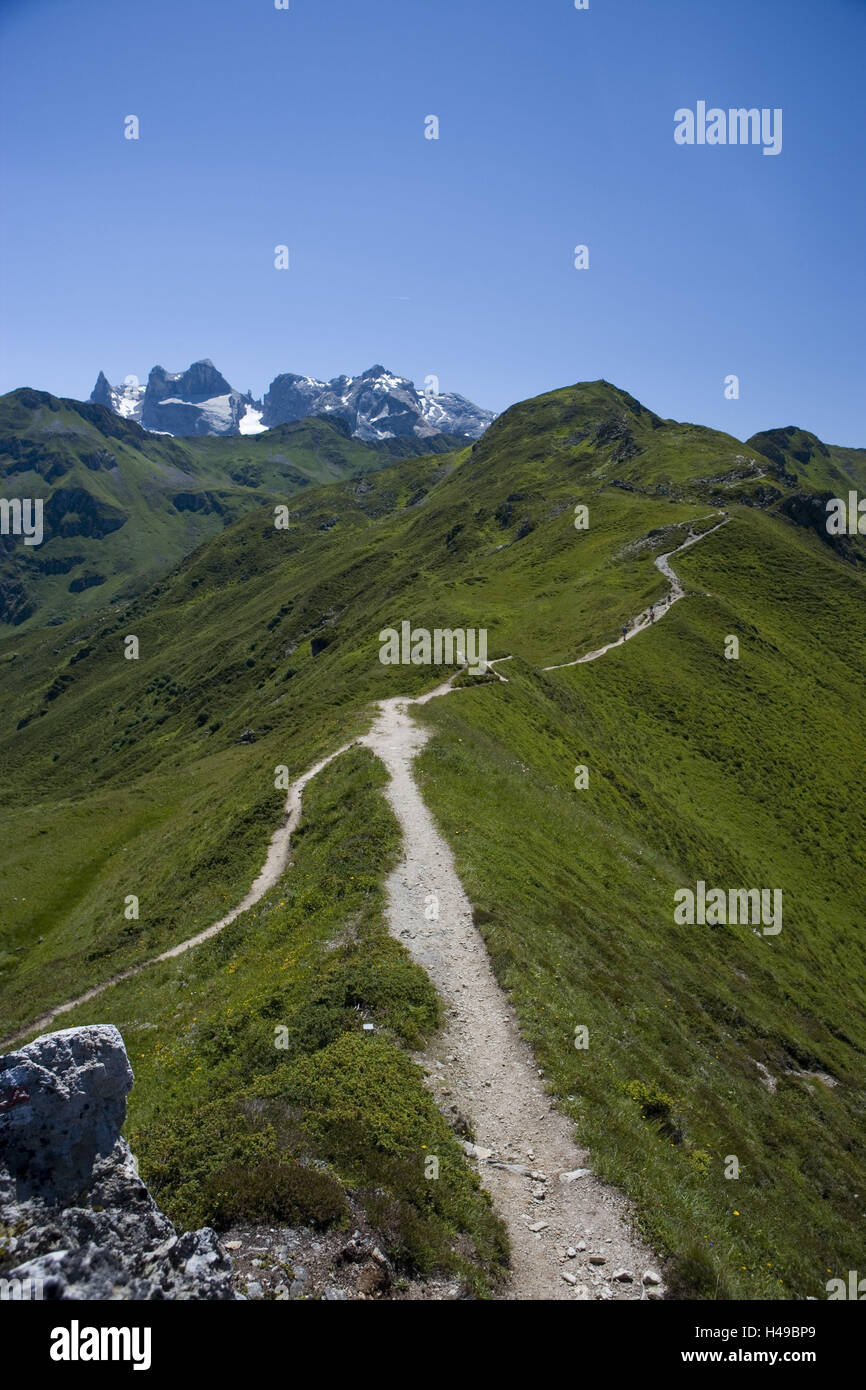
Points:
123	507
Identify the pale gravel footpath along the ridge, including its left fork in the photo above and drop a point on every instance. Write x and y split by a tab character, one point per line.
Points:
479	1065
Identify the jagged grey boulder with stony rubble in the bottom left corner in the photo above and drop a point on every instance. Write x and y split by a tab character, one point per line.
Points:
76	1218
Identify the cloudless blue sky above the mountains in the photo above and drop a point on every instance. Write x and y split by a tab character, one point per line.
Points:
451	258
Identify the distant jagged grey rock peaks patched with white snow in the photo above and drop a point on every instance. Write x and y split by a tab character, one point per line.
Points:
377	405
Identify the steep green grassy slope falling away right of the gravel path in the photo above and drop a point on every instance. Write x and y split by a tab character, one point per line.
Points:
575	896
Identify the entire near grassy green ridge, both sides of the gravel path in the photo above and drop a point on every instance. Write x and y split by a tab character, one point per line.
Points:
705	1043
